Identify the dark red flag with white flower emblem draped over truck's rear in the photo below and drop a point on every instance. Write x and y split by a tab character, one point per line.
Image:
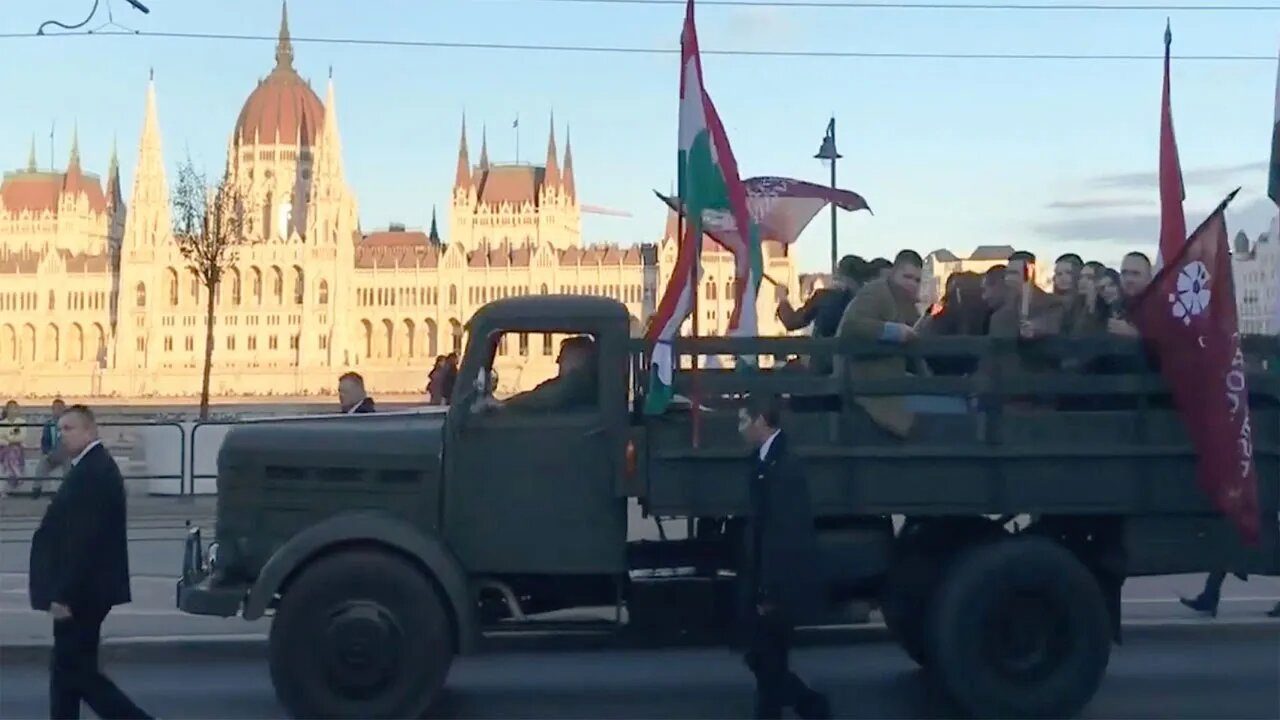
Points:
1188	317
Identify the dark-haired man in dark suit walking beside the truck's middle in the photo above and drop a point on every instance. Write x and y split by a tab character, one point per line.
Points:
781	580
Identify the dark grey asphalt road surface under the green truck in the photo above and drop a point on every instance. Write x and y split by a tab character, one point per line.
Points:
1208	675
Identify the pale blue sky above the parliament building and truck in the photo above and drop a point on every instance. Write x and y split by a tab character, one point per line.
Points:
949	153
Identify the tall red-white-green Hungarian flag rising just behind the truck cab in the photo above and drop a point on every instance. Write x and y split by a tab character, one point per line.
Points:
708	185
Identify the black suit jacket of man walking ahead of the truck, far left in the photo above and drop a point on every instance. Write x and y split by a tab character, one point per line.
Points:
80	555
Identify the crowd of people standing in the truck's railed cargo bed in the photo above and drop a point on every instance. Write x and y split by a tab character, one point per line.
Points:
880	300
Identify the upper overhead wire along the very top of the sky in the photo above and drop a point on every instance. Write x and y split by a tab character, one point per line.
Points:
957	7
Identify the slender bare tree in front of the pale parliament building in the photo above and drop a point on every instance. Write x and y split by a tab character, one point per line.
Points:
209	224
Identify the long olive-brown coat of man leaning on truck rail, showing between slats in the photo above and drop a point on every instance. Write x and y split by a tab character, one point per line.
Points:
875	306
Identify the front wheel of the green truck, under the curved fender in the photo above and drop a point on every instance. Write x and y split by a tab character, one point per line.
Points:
360	635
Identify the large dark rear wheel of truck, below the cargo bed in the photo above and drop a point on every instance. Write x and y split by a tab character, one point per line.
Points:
1021	630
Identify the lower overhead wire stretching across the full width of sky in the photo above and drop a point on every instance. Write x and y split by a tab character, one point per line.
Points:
637	51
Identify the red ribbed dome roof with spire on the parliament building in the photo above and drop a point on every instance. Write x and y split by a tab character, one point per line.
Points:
284	107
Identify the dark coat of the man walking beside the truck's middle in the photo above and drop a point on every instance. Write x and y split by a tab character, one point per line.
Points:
780	562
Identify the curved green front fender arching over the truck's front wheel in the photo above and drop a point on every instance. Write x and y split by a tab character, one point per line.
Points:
368	528
